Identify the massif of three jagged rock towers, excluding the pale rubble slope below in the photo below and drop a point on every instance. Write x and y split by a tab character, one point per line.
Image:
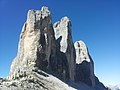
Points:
51	49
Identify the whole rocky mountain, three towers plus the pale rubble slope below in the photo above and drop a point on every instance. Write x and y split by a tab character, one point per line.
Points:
47	58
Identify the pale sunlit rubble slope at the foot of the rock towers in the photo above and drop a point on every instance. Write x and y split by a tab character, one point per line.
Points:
36	80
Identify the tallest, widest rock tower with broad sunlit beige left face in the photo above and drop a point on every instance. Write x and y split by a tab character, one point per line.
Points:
36	43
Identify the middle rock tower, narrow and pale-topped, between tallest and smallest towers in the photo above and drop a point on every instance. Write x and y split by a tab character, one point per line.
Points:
65	45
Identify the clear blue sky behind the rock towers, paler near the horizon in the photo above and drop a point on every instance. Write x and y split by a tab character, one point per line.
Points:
96	22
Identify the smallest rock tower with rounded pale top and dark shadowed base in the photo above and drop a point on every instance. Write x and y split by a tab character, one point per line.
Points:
84	64
